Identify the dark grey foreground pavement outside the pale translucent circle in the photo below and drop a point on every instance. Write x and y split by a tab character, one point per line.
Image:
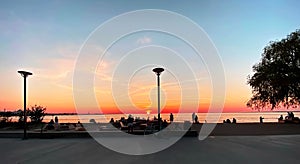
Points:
218	149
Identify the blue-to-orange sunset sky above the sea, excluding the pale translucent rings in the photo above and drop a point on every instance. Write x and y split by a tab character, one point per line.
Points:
45	37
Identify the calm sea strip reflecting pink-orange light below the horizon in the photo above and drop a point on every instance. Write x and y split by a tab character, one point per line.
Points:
214	117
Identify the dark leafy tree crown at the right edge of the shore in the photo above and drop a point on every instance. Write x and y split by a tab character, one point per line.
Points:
276	79
